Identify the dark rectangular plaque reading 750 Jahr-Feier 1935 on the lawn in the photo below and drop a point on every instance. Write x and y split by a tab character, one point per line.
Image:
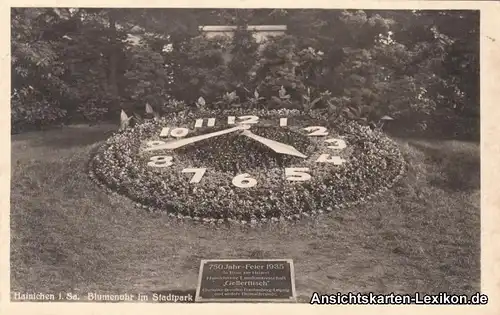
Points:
246	280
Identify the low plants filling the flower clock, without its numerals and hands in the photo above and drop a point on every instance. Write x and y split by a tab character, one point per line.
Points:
372	164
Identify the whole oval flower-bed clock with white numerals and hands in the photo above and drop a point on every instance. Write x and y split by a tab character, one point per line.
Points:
247	166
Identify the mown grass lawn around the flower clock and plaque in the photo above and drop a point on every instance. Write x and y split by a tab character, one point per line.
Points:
68	235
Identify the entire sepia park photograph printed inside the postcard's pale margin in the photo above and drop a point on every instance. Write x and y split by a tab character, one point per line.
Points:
249	155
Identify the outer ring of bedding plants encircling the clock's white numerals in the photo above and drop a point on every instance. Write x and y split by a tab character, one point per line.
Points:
377	164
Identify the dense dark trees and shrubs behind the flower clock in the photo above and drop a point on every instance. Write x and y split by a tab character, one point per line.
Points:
420	67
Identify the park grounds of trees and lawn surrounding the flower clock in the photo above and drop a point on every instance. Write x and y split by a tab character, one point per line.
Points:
81	67
